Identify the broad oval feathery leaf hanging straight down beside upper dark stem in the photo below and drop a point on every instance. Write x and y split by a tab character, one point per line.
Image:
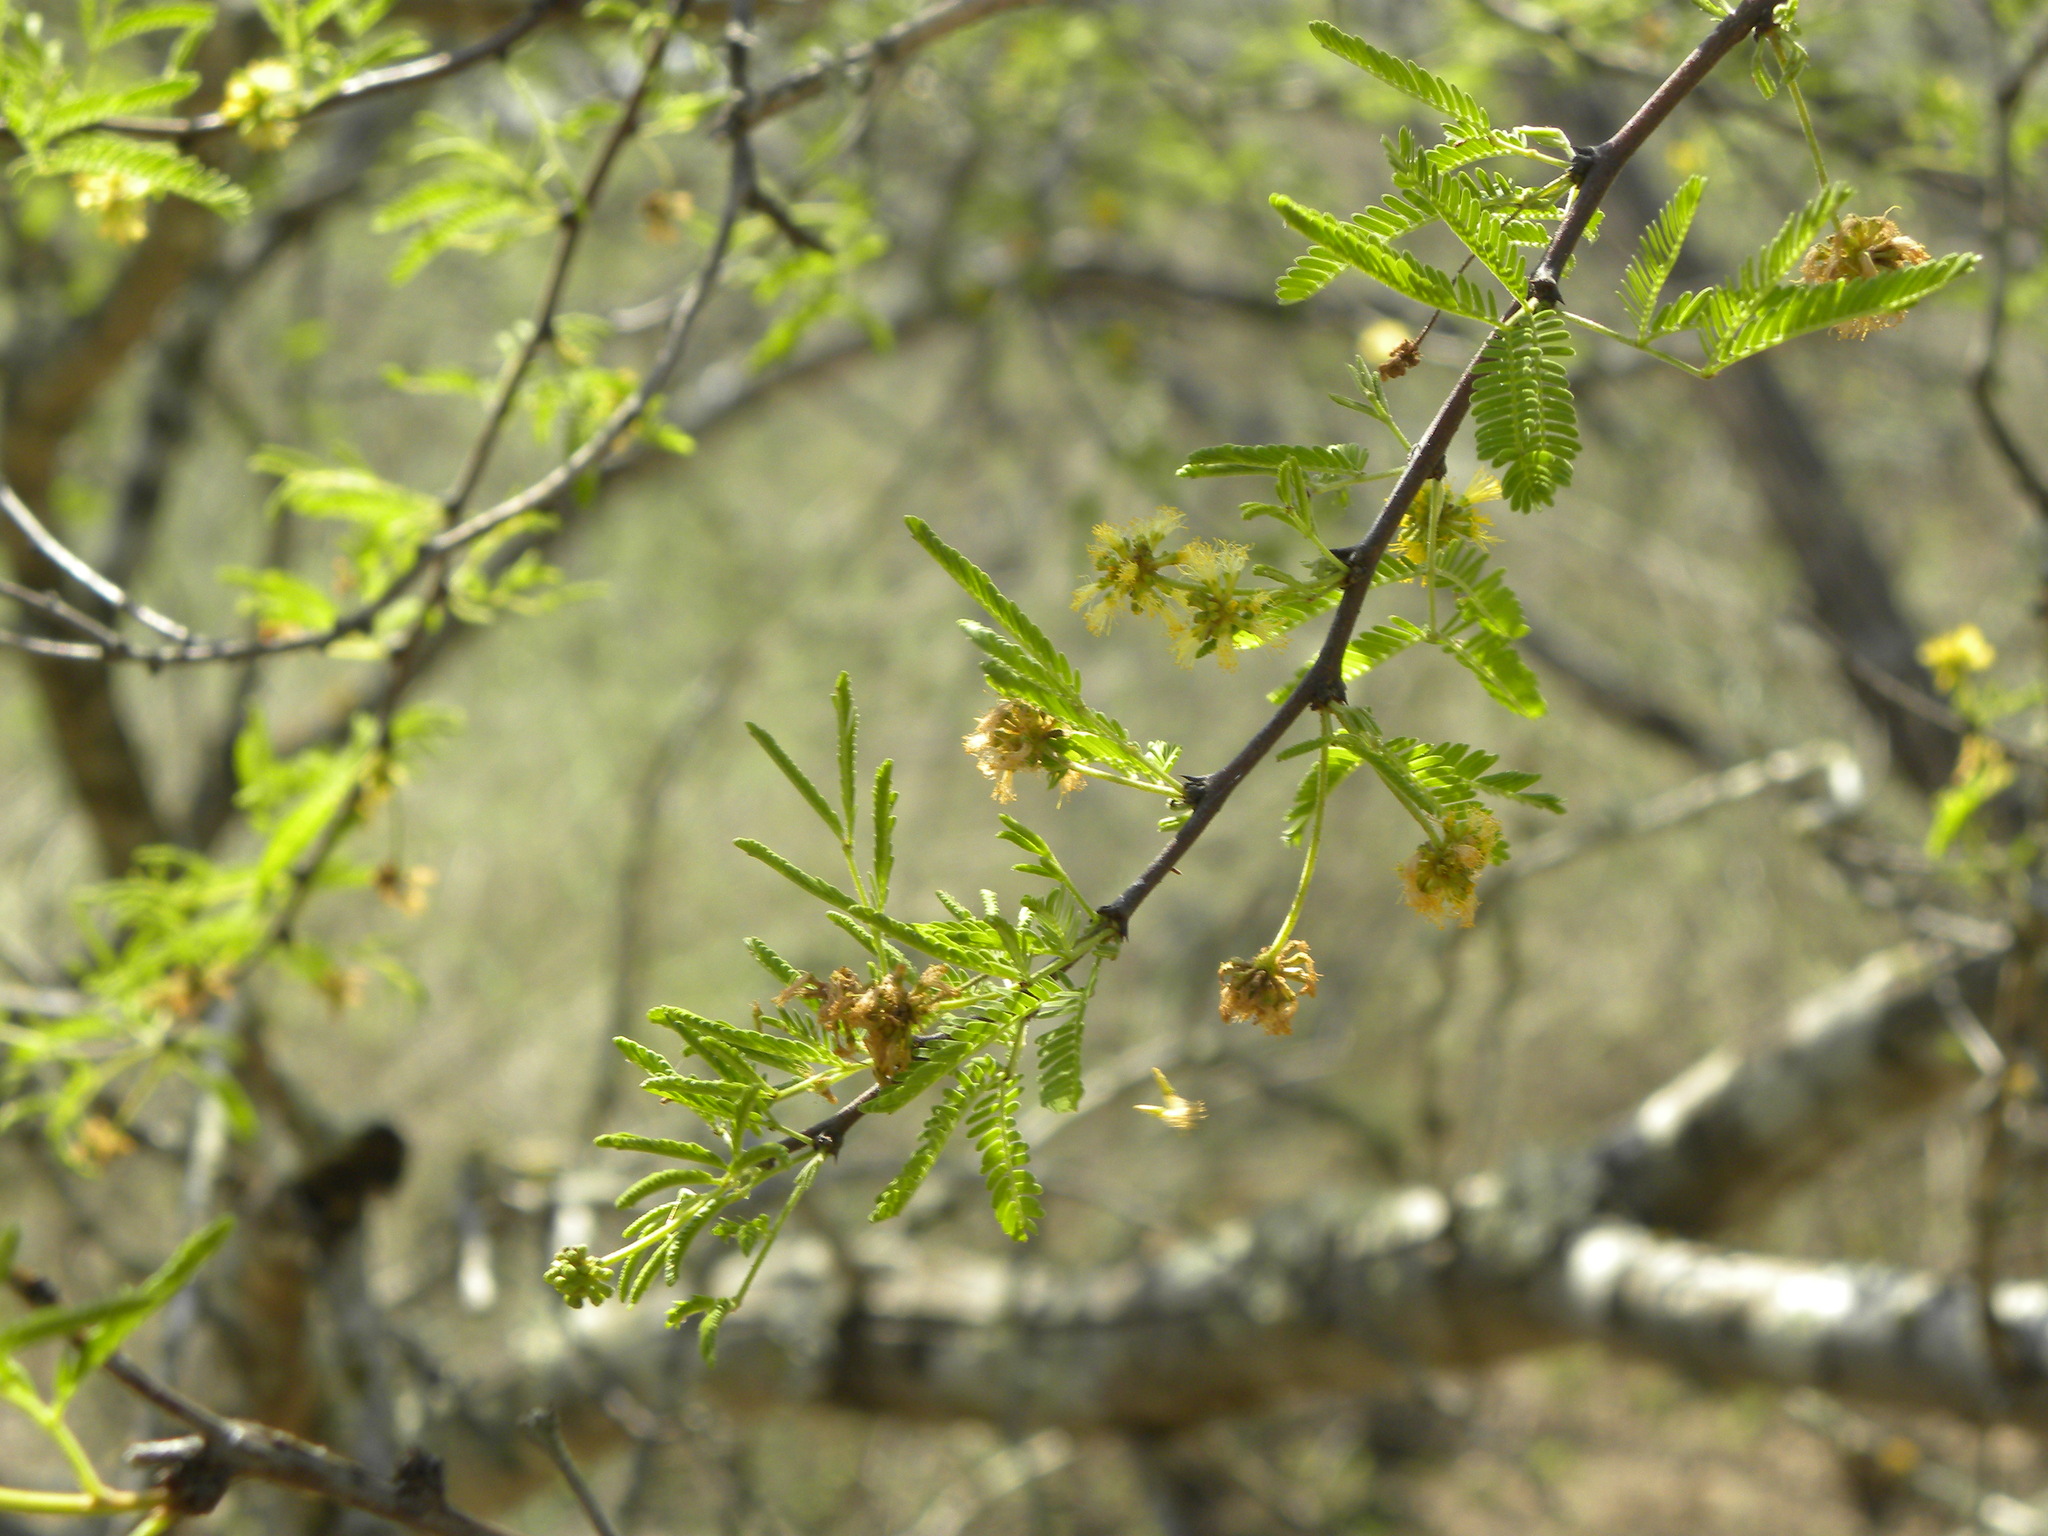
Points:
1523	409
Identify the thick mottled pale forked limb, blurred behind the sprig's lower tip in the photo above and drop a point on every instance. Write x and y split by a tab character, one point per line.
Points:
1363	1293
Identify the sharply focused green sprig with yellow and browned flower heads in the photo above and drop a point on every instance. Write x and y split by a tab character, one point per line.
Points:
959	1029
